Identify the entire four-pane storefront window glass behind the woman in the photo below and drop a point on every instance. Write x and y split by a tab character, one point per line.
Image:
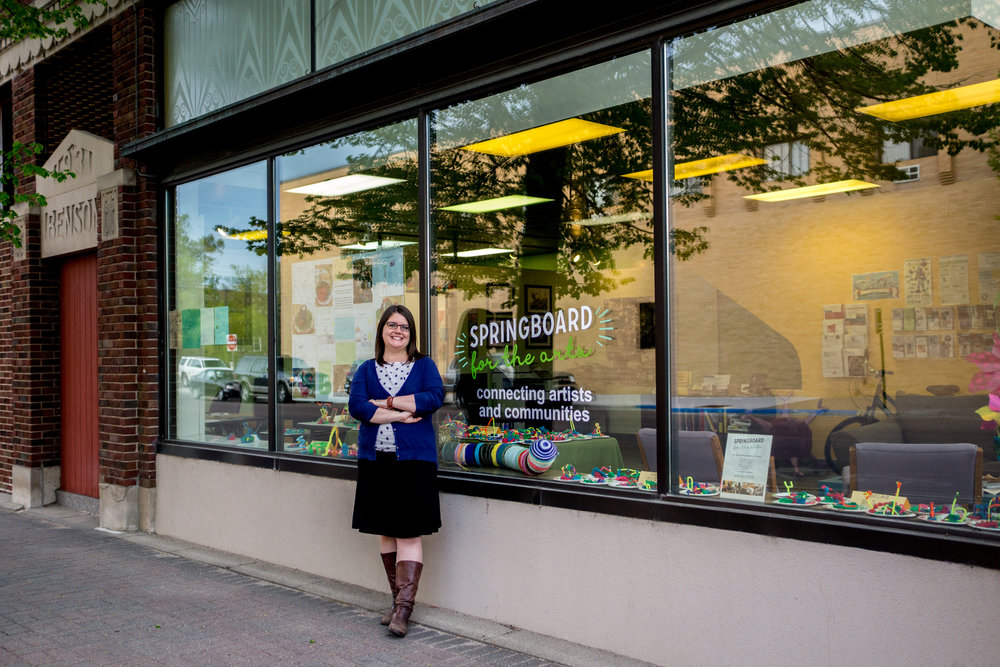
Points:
832	277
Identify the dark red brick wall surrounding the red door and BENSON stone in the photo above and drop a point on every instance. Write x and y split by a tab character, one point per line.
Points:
93	85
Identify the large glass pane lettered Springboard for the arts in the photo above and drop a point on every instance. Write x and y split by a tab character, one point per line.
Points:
543	243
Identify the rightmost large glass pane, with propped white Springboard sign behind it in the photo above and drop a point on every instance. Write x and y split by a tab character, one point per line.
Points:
844	295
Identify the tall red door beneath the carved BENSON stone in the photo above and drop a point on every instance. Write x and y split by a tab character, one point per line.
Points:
78	378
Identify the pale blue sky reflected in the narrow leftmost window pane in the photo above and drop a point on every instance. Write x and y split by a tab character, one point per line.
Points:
230	200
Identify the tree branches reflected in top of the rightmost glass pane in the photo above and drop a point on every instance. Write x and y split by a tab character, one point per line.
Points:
814	100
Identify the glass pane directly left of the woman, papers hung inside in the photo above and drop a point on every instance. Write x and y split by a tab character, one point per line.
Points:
348	250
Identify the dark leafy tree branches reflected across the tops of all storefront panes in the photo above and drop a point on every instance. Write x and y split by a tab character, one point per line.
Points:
811	99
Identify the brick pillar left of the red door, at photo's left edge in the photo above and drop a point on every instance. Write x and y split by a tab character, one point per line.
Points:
29	329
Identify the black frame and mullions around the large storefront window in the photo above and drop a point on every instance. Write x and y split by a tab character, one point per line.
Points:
581	45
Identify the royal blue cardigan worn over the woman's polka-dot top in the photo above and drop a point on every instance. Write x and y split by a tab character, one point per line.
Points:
413	441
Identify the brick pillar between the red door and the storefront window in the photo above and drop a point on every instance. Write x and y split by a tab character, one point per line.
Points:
127	276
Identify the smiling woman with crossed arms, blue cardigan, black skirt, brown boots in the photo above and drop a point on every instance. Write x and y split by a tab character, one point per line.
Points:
393	396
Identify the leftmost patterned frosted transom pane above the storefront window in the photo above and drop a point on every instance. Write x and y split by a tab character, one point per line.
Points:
220	52
